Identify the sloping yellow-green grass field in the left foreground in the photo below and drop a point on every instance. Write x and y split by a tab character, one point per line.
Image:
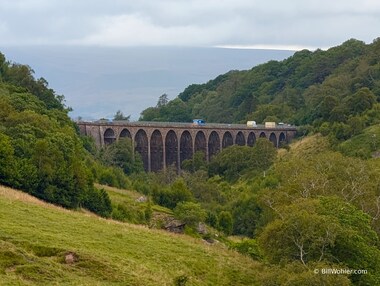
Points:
35	237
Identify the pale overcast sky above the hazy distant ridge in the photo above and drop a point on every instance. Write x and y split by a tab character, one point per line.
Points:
251	23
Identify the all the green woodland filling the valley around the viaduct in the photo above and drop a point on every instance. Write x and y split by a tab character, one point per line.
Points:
313	204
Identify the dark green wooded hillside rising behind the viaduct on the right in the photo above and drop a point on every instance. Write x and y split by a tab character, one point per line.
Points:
307	88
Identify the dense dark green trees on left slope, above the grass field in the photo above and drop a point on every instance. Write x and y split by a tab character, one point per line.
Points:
40	150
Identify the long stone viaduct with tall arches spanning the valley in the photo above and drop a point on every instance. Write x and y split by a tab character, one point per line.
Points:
162	144
